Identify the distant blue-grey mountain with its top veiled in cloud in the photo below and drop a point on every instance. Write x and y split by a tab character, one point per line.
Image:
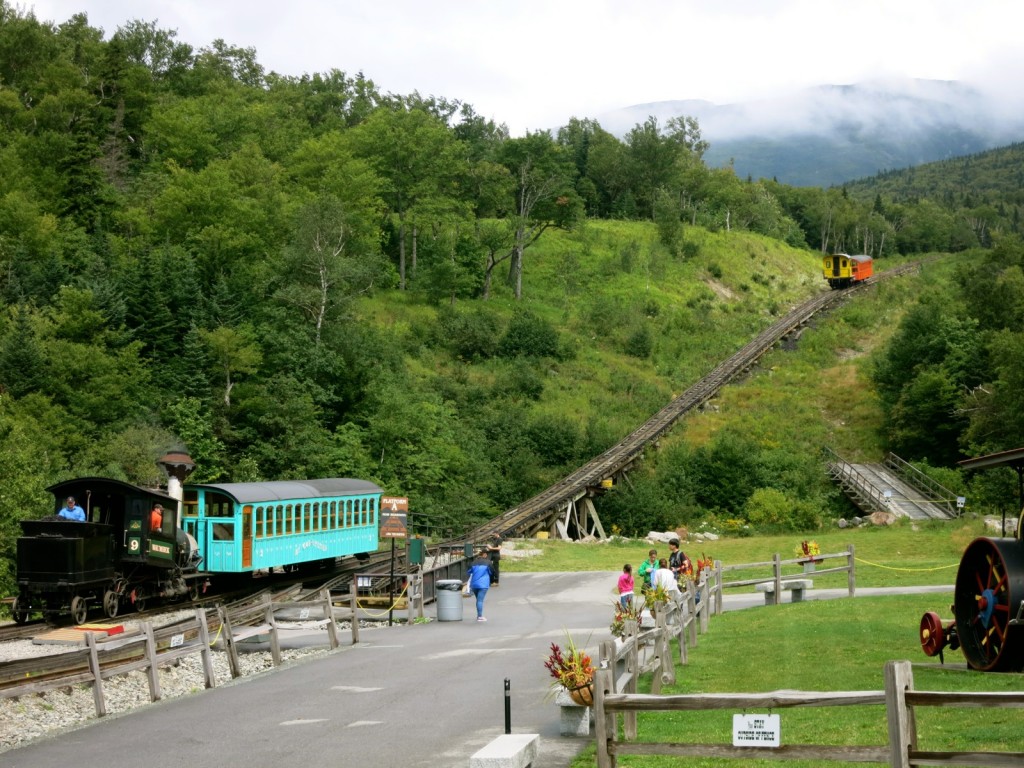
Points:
830	135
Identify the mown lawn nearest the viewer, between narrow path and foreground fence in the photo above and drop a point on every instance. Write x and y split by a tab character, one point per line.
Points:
832	646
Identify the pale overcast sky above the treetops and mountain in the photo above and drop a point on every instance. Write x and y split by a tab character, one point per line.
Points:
535	64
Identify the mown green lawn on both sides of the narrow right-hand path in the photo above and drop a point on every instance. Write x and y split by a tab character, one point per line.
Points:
822	646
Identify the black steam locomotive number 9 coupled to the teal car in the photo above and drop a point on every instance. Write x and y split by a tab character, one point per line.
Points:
117	558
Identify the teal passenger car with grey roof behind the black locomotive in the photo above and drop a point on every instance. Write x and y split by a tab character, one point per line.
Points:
247	527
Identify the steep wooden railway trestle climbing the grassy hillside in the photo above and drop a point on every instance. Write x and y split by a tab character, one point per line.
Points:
567	509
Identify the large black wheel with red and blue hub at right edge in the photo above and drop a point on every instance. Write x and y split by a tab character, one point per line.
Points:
990	590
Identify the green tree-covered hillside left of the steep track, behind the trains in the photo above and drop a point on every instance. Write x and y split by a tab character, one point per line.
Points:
297	277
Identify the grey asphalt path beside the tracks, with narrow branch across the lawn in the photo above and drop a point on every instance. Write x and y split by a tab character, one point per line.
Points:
428	695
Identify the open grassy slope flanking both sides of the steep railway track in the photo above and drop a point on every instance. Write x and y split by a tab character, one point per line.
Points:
636	327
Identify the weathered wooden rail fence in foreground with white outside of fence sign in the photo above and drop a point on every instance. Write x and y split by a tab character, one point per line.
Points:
900	700
